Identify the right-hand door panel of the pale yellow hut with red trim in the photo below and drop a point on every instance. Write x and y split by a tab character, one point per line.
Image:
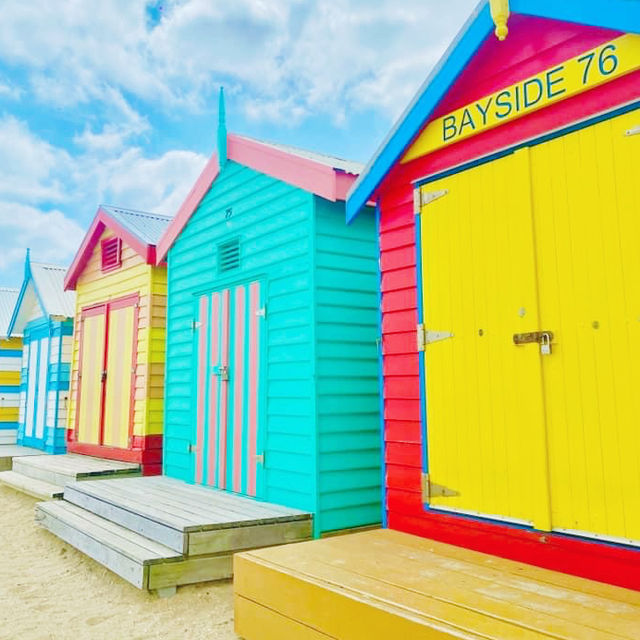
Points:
118	390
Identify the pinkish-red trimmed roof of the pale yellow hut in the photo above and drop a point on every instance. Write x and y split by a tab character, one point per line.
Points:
138	229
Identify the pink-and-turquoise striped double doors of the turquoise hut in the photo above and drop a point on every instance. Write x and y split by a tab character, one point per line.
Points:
228	450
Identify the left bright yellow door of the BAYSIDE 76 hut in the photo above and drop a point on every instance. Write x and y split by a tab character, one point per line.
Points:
485	414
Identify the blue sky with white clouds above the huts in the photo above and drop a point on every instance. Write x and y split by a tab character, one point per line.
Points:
115	101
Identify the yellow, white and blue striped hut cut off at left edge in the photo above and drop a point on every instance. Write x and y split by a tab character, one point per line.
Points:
10	361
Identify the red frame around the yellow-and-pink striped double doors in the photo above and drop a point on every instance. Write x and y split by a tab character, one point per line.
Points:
95	310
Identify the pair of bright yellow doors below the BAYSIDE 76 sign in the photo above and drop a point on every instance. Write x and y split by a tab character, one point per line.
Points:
531	303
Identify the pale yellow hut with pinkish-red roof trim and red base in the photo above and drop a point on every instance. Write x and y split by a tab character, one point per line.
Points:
117	373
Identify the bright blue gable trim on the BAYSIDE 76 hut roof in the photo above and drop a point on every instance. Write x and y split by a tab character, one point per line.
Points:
621	15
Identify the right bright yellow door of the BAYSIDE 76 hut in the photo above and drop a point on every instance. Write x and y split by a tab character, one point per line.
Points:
587	230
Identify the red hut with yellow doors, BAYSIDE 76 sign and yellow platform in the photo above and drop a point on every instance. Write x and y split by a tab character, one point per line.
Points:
507	199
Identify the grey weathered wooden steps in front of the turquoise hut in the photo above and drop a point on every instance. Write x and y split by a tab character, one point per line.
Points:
159	533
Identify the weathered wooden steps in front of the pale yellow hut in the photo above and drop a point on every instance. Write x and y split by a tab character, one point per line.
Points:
45	476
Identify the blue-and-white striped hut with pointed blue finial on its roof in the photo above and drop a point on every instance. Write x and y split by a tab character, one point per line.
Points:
43	315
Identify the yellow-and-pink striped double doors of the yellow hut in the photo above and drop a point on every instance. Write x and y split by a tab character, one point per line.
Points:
104	416
